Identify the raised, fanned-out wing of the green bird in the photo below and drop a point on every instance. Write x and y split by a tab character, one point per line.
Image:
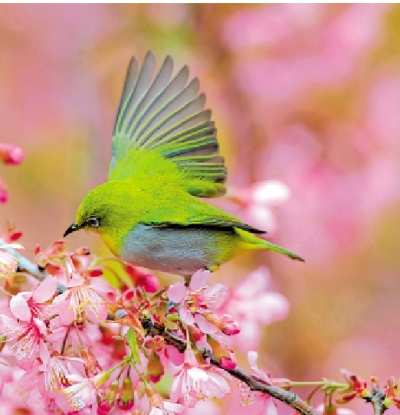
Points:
164	116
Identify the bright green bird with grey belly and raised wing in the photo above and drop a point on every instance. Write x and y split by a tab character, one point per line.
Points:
164	158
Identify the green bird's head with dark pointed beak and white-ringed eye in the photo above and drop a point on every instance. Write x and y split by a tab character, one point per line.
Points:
102	208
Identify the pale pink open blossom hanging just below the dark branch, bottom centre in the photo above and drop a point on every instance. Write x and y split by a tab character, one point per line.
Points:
194	382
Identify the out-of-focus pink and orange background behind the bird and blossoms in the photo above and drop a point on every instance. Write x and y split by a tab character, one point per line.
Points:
308	95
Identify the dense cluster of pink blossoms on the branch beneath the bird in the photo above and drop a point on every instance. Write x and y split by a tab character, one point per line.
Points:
78	340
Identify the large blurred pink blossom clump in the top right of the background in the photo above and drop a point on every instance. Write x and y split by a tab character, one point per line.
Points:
305	46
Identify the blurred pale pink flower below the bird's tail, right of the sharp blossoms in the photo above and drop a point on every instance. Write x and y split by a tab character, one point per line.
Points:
252	305
